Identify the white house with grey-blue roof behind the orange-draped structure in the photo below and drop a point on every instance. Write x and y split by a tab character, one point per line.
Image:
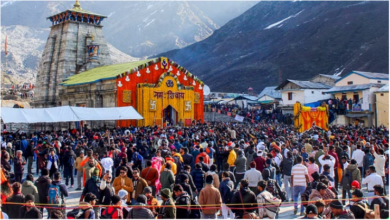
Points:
301	91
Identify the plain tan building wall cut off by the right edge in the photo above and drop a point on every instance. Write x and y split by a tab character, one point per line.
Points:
382	106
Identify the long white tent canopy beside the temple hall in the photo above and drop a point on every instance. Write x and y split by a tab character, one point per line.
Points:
67	114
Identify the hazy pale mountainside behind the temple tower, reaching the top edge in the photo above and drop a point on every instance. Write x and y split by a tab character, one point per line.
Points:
138	28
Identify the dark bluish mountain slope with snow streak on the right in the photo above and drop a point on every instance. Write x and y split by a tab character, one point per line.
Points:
294	40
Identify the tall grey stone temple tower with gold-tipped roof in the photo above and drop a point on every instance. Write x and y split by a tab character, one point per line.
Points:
75	44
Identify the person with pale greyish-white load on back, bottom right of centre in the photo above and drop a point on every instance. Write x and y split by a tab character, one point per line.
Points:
268	204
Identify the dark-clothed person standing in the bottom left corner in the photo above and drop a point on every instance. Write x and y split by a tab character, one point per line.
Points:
11	206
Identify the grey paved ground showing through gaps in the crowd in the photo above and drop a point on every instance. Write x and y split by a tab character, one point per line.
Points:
286	211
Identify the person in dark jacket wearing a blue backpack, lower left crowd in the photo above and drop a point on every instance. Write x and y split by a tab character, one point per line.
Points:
56	194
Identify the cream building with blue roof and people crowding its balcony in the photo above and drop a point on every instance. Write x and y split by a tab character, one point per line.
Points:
359	87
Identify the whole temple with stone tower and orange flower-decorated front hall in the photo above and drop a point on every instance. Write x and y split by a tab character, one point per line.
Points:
75	70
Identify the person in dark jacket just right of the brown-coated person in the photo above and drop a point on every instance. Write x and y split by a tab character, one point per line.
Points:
225	188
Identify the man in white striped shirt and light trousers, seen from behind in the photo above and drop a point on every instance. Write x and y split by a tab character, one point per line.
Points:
299	178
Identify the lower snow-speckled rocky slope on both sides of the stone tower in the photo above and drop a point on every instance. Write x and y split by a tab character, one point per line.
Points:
25	46
